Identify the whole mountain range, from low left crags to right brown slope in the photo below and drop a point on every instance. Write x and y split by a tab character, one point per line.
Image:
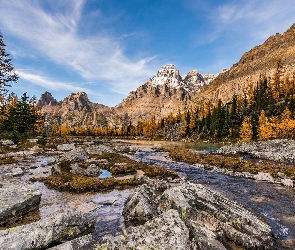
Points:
168	91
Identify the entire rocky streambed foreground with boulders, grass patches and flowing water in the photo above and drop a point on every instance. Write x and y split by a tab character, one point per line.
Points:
199	210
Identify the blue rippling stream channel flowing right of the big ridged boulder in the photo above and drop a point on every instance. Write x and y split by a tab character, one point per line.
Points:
272	202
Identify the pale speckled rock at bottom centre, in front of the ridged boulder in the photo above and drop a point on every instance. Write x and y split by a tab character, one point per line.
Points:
166	231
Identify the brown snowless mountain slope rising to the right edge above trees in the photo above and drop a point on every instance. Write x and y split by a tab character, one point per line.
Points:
261	60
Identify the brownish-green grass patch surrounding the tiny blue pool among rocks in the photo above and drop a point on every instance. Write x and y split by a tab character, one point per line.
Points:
66	181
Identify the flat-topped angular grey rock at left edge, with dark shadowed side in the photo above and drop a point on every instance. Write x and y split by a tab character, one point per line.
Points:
16	201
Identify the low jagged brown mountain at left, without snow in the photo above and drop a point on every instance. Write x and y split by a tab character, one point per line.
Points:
76	110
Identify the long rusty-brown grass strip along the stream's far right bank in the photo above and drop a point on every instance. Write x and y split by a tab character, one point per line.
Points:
233	163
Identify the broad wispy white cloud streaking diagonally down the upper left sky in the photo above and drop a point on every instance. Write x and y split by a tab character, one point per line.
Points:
54	35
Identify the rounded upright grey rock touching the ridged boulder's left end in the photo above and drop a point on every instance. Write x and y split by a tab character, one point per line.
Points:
140	206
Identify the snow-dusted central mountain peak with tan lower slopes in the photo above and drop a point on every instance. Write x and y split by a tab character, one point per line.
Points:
165	93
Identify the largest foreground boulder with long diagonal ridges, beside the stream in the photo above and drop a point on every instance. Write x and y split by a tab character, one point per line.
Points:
225	220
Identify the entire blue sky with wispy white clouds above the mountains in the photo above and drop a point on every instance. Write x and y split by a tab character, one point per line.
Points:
108	48
